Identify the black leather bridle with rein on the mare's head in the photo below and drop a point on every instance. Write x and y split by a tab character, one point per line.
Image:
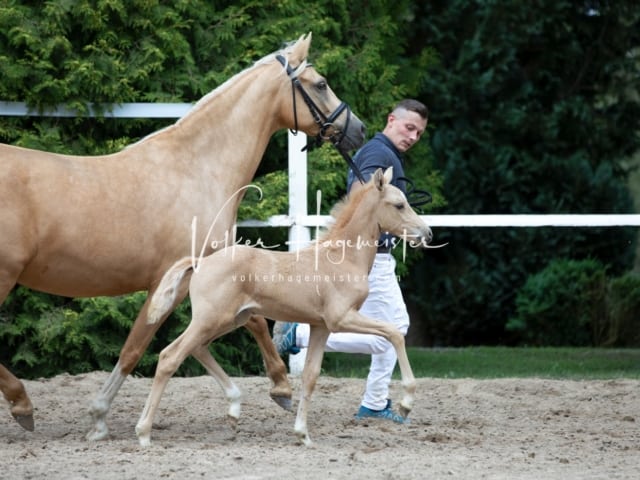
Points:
324	122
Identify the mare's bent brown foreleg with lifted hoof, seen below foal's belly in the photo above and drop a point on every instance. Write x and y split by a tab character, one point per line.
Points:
276	369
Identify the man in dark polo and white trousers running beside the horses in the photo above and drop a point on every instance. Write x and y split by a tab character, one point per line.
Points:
405	125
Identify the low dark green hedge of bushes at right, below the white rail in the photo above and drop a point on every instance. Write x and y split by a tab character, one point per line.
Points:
574	303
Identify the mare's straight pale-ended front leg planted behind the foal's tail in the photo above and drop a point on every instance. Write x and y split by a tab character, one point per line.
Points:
137	342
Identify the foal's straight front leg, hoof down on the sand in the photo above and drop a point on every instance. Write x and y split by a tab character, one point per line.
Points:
313	364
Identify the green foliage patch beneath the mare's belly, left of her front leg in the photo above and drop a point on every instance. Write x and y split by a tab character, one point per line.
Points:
46	334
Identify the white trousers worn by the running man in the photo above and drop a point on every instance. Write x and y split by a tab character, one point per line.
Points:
384	303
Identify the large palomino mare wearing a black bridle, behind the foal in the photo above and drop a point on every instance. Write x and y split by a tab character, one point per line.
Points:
113	224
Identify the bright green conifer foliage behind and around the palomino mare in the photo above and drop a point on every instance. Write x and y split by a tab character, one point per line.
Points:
105	52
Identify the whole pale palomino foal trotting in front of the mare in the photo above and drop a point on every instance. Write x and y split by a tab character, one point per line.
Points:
328	280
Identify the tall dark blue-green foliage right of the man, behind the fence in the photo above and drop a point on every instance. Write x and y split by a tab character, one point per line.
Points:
534	109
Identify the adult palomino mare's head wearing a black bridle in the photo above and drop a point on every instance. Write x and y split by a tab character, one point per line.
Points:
313	107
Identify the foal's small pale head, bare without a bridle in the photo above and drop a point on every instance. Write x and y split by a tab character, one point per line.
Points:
394	214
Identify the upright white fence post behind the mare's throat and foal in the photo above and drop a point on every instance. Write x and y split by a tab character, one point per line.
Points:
299	235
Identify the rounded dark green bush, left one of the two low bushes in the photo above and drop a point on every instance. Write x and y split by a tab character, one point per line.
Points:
563	305
